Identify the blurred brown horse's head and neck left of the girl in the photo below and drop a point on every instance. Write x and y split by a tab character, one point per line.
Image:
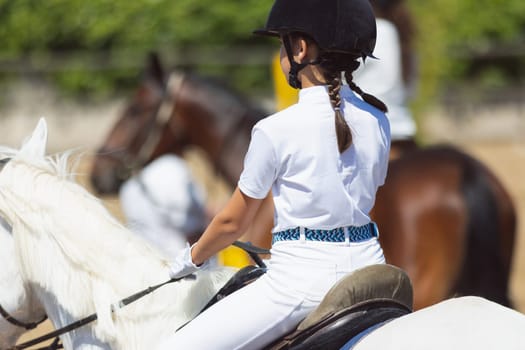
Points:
169	113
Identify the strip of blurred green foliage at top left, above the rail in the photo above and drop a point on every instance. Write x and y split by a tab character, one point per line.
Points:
29	25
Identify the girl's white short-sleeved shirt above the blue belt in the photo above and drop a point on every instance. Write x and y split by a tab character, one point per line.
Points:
294	153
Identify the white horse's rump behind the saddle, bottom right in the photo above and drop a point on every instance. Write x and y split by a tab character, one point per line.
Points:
456	324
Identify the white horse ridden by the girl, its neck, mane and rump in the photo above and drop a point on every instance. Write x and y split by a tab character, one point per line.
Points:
78	260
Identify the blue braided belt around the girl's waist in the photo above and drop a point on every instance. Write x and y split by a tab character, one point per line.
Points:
355	234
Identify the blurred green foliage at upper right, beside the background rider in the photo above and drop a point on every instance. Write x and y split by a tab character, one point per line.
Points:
470	49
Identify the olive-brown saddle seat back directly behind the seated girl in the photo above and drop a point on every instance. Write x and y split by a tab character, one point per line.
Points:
381	281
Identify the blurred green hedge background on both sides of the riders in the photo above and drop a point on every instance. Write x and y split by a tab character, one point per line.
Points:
97	47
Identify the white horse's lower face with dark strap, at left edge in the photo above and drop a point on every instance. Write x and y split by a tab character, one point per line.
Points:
18	301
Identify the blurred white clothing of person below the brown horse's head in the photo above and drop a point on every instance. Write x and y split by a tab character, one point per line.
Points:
164	204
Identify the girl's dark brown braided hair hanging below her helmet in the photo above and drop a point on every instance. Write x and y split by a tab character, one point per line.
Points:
333	65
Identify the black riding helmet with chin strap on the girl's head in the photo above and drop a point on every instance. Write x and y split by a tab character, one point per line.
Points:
345	26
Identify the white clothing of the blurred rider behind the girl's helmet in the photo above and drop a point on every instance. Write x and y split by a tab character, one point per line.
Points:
383	78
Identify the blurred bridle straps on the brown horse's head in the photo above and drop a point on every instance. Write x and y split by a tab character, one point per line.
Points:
161	120
